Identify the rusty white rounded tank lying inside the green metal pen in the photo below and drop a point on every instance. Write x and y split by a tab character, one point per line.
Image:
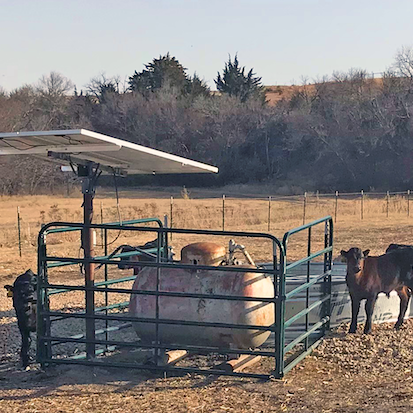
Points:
204	310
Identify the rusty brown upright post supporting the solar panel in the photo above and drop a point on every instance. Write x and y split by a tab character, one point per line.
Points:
87	244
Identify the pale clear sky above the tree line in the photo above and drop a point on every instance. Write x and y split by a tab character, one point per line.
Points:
282	40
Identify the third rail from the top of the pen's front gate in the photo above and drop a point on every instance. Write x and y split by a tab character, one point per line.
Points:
161	293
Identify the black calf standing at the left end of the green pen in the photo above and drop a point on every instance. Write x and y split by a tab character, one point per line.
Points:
24	293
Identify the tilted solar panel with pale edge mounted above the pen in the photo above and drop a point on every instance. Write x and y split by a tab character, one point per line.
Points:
80	145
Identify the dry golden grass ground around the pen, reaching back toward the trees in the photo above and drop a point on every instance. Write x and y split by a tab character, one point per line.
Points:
321	383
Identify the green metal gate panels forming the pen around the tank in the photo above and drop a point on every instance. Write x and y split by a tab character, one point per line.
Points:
284	355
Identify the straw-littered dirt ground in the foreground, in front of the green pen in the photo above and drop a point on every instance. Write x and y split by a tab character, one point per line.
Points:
346	373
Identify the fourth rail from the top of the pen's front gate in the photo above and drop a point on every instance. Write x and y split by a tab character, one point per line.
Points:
158	321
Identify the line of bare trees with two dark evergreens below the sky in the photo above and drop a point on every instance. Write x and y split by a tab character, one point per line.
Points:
344	132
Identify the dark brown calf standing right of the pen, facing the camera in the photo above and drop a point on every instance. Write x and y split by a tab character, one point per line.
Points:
368	276
